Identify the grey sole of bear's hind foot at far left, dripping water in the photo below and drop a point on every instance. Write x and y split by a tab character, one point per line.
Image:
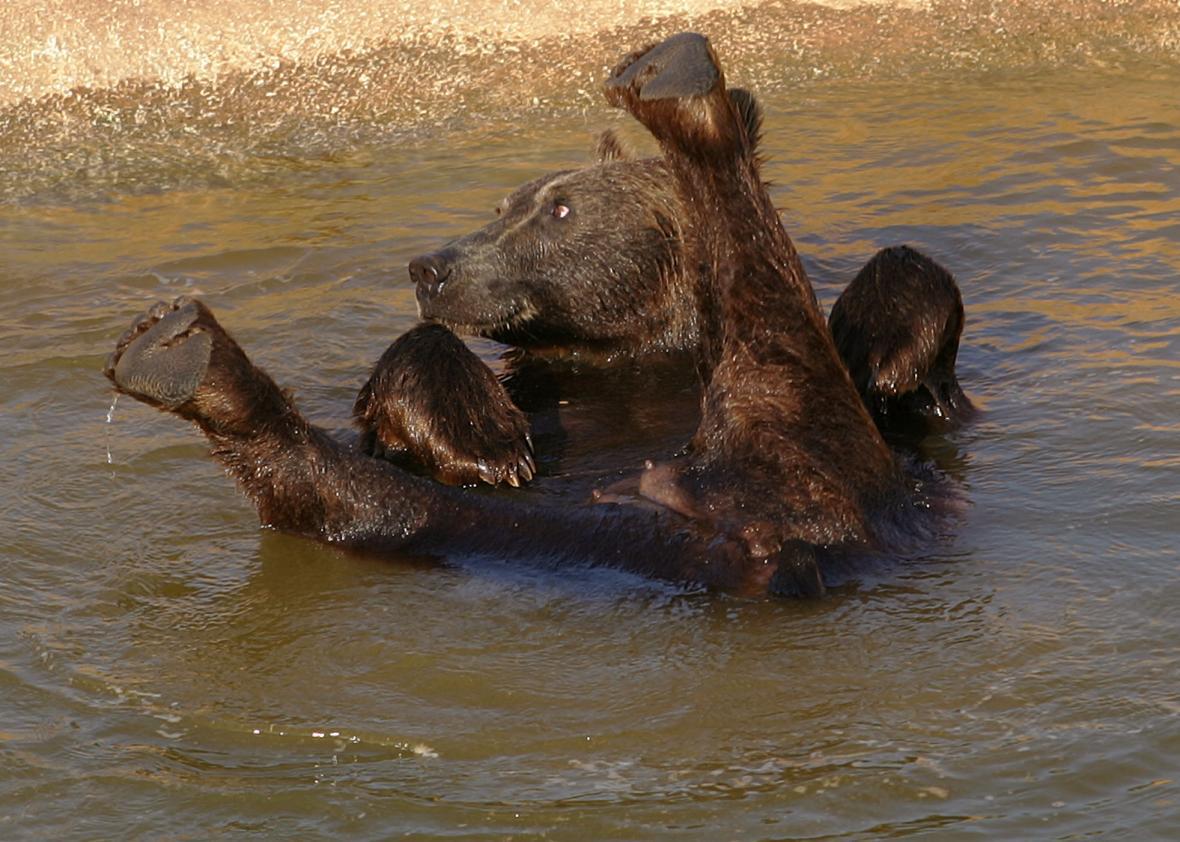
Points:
165	356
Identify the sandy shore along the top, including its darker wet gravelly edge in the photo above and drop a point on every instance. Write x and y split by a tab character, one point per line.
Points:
140	94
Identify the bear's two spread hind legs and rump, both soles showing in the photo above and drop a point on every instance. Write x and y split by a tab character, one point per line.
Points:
785	472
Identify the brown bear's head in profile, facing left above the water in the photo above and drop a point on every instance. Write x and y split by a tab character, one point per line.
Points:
580	261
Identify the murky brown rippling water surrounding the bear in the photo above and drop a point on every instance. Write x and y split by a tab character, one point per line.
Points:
169	670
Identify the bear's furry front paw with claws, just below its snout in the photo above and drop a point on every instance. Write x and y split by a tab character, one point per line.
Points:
434	406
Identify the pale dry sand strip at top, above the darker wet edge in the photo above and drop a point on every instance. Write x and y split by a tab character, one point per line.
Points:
54	47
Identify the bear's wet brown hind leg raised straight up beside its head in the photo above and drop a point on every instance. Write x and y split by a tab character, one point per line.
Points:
785	451
